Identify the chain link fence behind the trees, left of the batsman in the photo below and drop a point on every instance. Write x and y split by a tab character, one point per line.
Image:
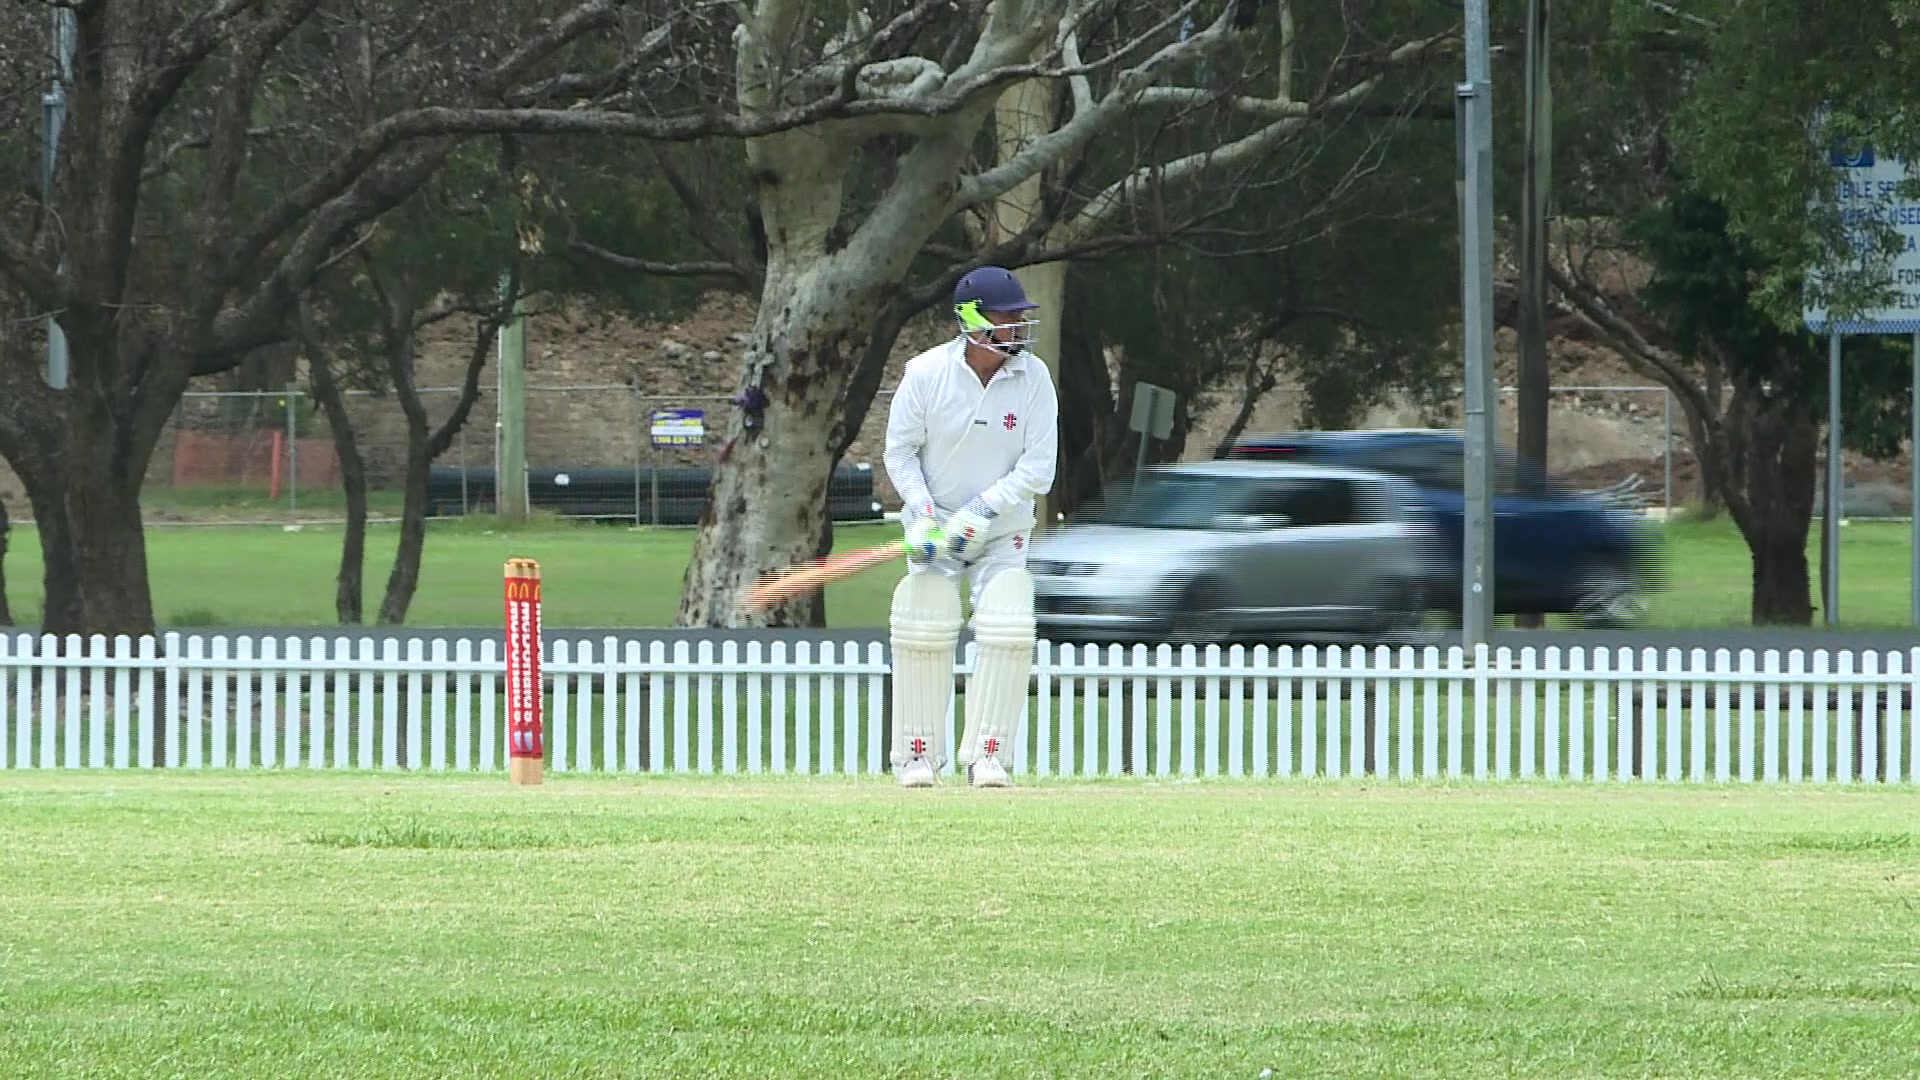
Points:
594	451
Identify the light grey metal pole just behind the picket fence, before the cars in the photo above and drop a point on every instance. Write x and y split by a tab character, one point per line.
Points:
1476	120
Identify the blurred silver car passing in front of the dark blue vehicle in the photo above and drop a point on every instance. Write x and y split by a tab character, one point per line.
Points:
1239	551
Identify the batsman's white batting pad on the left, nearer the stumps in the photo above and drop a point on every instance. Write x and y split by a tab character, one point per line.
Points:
926	626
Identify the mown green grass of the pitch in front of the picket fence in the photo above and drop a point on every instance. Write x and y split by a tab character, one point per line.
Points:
425	927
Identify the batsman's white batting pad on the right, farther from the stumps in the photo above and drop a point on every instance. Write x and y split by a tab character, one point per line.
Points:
997	691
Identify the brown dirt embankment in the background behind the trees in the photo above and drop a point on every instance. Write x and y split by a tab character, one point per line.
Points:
596	380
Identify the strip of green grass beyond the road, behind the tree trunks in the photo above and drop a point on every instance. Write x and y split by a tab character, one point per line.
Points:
606	576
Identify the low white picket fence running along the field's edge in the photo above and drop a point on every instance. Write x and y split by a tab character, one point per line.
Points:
821	708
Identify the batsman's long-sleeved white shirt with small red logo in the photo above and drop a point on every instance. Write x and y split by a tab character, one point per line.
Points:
951	439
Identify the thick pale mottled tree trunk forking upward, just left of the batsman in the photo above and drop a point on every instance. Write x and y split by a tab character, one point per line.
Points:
823	295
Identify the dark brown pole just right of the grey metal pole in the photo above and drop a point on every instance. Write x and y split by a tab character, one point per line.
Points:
1539	172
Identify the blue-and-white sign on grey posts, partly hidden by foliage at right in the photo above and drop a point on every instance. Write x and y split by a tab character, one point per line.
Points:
1869	189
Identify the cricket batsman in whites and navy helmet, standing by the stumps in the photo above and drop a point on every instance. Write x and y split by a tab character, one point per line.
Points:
971	443
